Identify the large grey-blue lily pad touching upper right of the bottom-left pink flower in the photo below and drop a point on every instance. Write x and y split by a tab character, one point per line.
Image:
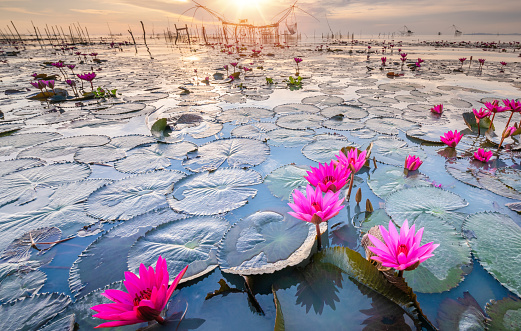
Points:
192	241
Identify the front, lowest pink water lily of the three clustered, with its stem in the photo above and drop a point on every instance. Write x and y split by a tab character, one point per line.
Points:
315	208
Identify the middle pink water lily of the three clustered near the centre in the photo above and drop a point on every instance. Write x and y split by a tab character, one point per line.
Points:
328	177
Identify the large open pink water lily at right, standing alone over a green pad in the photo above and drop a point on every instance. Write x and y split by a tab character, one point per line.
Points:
401	251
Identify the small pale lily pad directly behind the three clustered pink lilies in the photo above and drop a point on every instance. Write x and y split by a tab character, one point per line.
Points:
325	148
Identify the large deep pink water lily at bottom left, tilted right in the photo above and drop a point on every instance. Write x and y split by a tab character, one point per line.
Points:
147	296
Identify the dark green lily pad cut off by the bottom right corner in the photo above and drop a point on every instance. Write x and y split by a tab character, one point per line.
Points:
504	314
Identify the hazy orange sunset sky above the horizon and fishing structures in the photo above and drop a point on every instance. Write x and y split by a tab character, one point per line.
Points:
358	16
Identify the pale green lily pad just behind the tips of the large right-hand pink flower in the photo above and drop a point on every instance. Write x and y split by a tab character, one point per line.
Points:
413	202
